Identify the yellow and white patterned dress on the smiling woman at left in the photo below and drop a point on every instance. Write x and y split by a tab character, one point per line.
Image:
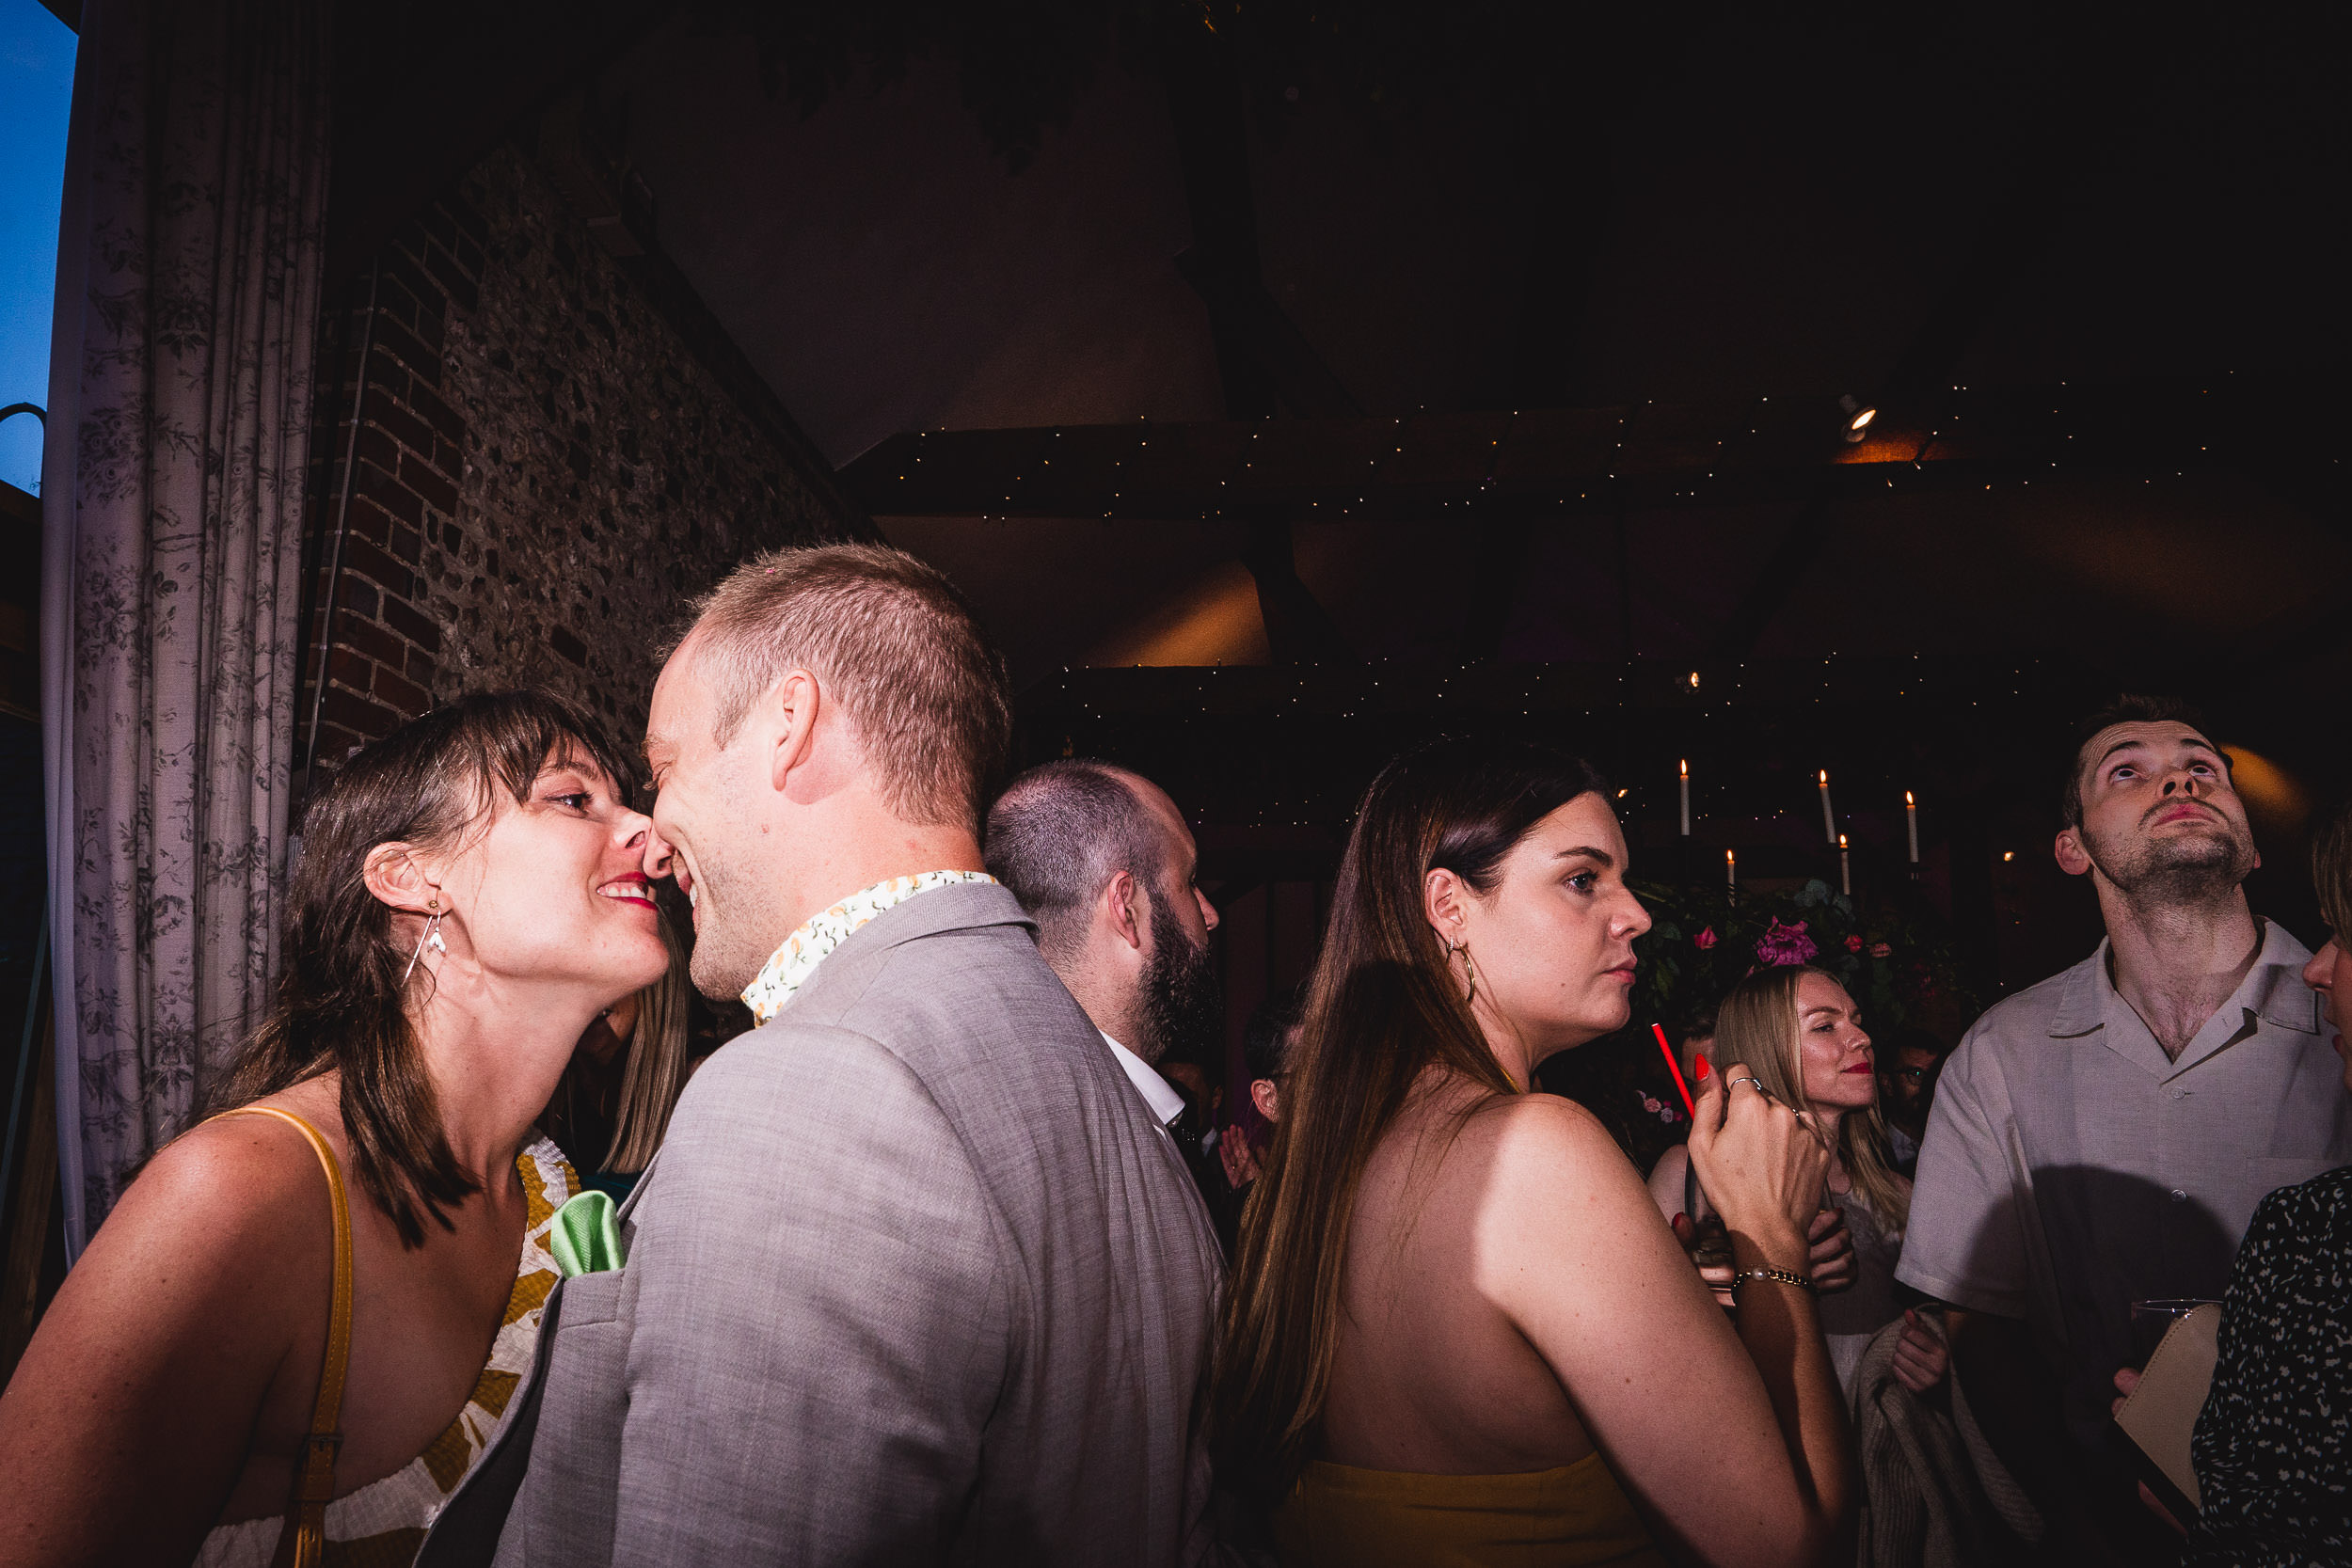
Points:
385	1522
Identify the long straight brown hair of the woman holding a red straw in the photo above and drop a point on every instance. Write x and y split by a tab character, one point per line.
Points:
1382	1010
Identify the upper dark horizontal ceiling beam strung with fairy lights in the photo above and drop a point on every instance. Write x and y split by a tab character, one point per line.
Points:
1539	464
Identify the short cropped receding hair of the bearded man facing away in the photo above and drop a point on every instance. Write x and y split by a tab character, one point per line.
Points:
1060	836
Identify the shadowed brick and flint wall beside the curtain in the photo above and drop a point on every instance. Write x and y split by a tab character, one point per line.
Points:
554	457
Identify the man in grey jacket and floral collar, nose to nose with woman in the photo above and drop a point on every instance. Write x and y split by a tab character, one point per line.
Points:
914	1278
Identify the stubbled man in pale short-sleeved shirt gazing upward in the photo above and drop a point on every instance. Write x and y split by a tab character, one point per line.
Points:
2106	1134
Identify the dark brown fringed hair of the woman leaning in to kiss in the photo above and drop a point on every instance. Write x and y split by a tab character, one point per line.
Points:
345	989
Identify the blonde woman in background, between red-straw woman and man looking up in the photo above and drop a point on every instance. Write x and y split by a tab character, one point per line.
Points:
1800	1038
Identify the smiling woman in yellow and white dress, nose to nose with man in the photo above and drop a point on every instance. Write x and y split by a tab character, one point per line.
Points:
255	1360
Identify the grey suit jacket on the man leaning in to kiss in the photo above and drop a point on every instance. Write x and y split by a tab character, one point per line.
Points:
916	1280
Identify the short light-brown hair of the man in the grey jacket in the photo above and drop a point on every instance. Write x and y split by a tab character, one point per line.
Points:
897	643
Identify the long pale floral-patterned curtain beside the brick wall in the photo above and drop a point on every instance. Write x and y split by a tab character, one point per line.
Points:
180	384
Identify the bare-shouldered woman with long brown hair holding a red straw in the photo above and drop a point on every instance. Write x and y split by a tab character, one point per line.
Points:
1457	1329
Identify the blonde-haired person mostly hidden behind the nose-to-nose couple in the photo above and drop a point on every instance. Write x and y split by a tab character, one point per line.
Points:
627	1073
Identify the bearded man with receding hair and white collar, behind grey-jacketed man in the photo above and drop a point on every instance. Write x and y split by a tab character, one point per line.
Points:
1109	871
